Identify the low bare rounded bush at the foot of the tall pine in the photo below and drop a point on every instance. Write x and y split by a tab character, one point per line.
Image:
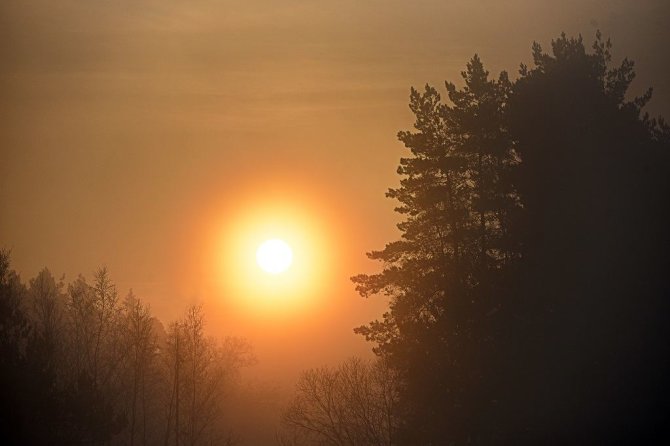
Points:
352	404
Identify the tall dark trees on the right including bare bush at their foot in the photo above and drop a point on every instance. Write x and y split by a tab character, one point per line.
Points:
529	294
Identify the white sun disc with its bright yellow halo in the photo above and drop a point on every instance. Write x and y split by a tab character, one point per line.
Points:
273	260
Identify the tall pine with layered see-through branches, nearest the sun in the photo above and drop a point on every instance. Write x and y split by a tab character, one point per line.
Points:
446	274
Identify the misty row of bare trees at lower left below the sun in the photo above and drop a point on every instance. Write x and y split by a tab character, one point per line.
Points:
80	365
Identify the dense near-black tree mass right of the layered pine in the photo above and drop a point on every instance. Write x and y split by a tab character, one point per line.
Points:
593	311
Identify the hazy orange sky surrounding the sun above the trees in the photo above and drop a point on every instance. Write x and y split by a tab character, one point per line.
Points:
151	136
